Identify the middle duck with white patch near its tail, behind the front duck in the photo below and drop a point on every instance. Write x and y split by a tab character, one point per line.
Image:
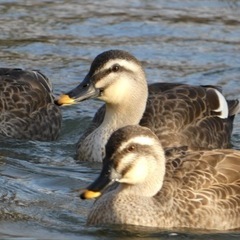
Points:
199	117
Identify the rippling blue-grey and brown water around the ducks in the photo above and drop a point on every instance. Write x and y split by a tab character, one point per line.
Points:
196	42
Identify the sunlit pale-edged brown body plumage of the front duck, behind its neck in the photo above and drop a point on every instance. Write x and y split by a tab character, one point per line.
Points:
202	190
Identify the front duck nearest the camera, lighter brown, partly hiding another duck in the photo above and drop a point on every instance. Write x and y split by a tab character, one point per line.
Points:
164	188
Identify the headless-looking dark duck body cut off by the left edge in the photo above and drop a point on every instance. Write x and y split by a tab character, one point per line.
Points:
27	107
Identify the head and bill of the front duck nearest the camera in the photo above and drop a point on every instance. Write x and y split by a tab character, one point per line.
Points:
135	159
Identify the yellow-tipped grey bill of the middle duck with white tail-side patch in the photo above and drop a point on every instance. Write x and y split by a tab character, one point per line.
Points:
85	90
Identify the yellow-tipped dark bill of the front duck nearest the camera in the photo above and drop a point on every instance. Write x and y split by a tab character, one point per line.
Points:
104	180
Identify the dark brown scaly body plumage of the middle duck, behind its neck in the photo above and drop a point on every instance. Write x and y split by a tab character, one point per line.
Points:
183	115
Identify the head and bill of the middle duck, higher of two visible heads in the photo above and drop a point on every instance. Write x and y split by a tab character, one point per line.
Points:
113	74
